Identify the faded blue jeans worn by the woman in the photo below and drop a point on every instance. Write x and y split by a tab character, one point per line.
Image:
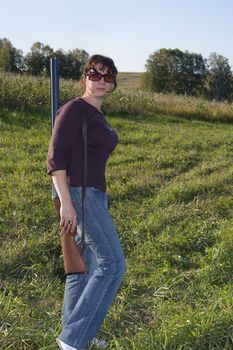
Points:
88	297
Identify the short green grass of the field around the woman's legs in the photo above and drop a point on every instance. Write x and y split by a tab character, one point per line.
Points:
170	188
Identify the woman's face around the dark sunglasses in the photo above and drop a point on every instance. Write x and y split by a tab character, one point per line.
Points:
101	87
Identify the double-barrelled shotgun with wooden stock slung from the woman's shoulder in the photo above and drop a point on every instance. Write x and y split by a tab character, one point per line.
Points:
72	254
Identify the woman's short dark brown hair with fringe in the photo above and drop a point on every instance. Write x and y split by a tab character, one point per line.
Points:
104	61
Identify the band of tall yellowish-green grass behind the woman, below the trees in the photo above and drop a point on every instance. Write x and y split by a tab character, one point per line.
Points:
21	91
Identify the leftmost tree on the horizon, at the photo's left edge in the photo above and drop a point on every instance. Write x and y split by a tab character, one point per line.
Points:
11	59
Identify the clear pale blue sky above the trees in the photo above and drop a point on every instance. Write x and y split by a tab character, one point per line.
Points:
128	31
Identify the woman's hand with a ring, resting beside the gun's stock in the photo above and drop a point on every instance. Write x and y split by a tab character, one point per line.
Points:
68	222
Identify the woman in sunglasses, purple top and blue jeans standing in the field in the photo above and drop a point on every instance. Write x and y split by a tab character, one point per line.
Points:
87	296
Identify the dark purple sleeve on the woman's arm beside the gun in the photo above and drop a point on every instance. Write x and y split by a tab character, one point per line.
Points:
65	131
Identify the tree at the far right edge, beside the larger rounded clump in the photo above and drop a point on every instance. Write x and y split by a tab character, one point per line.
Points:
219	79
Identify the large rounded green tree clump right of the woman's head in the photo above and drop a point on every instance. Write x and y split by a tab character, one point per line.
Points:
171	70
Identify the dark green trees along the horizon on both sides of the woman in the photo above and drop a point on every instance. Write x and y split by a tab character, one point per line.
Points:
167	70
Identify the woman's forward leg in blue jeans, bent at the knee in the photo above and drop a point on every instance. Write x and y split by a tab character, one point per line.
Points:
93	303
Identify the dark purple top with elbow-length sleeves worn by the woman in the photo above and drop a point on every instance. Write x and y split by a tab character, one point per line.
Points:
65	149
